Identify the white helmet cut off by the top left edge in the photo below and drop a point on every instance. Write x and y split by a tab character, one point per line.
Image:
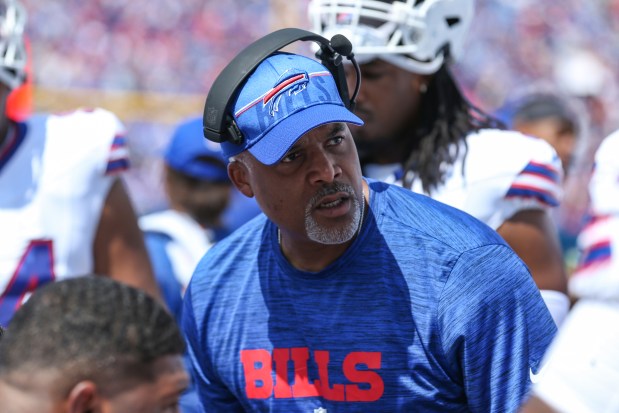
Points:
12	47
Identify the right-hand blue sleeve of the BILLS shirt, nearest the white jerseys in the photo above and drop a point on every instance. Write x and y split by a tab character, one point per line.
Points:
496	327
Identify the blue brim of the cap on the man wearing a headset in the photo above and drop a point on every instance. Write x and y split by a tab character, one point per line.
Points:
277	141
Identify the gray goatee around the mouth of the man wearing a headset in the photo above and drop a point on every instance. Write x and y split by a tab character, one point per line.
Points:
332	236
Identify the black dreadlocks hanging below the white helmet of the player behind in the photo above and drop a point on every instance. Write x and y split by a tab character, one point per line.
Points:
446	118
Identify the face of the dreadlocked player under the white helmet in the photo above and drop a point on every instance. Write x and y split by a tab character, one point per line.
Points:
388	103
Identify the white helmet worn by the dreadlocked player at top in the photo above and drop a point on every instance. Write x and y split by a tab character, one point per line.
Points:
412	34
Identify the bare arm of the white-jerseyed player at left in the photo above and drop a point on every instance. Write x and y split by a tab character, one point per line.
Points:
119	248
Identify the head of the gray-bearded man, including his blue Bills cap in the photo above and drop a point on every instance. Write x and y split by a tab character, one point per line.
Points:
297	156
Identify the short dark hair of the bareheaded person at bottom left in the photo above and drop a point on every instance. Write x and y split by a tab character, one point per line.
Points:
89	328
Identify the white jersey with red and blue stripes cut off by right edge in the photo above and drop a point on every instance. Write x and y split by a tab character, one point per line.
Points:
597	274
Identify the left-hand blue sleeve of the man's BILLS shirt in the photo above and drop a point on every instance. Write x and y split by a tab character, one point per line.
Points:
212	392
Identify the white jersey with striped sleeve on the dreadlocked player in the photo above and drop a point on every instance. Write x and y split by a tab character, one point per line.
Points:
504	172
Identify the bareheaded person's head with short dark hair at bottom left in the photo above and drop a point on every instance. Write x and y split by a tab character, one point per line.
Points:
91	344
